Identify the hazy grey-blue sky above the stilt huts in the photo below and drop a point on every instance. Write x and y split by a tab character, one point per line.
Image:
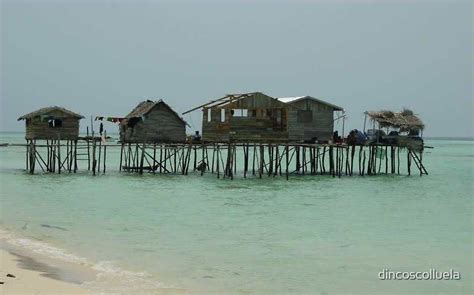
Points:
102	58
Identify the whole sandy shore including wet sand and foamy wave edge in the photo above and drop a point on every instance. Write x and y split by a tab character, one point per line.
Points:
24	270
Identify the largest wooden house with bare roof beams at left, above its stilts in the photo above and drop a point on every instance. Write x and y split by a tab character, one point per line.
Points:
257	117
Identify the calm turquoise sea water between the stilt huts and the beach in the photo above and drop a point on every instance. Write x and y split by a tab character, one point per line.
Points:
308	235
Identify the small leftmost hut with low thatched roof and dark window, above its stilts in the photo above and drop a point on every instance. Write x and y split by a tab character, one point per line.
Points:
52	123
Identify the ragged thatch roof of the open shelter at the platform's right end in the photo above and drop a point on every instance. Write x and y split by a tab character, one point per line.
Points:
405	120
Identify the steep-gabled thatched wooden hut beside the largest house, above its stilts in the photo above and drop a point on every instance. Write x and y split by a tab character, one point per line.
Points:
153	121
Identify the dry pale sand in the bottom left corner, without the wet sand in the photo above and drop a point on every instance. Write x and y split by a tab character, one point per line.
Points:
31	277
